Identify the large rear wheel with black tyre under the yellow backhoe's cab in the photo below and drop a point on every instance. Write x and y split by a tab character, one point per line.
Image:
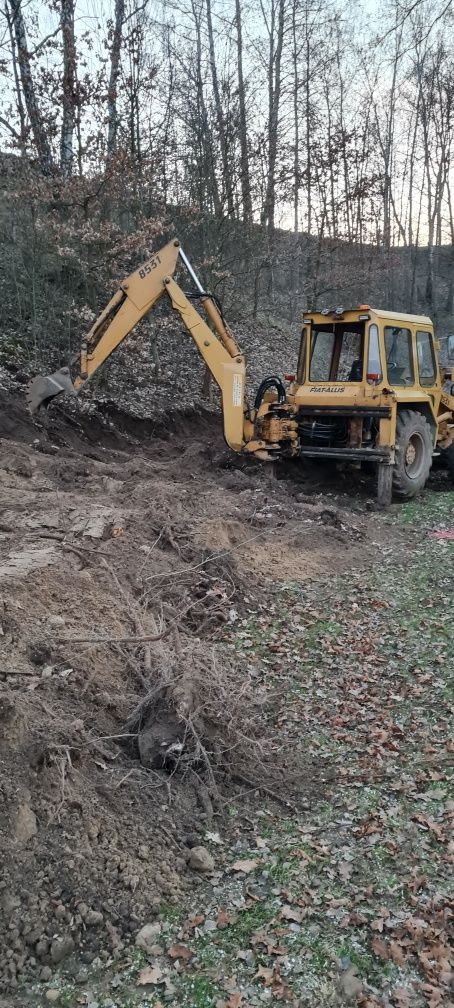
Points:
414	456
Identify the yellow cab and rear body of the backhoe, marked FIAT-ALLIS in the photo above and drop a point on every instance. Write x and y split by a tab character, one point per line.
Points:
356	366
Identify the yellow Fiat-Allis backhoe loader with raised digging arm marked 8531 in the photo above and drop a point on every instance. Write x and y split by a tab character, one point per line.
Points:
369	386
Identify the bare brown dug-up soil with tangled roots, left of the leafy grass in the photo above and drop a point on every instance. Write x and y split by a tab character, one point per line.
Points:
113	528
